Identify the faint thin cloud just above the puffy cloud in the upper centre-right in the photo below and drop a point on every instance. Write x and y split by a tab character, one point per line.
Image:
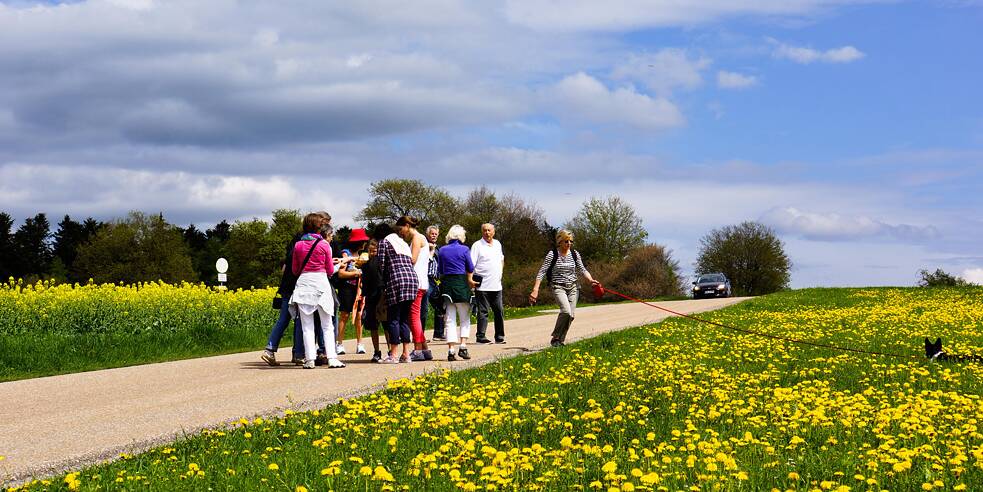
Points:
664	71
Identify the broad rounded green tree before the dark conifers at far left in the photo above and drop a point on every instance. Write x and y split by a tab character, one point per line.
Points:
139	248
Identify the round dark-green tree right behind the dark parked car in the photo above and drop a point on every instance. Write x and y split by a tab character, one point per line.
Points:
749	254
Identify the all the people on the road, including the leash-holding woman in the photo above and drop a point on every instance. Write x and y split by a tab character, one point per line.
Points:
390	279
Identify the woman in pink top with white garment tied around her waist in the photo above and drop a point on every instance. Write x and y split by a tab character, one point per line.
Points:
312	265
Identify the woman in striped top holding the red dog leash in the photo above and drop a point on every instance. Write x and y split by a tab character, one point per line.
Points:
560	268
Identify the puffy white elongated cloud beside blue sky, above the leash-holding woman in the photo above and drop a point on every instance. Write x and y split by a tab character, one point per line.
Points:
581	98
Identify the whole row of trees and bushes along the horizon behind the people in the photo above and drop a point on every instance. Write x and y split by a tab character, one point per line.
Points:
608	231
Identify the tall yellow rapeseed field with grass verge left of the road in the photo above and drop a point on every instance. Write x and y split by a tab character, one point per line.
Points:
48	329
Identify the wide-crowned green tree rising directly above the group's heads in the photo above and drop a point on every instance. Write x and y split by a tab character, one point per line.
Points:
390	199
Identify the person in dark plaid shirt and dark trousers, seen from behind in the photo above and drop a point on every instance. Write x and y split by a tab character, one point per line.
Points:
401	286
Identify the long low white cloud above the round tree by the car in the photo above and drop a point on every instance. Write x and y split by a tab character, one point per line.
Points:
837	227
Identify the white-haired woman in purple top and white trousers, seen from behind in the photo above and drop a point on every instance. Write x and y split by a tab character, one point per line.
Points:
456	270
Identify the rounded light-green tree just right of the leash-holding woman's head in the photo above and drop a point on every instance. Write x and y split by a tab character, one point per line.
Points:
607	228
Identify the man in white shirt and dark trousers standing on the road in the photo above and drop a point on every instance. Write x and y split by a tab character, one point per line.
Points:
489	263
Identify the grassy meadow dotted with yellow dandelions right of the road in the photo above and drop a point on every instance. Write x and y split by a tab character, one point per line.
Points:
678	405
